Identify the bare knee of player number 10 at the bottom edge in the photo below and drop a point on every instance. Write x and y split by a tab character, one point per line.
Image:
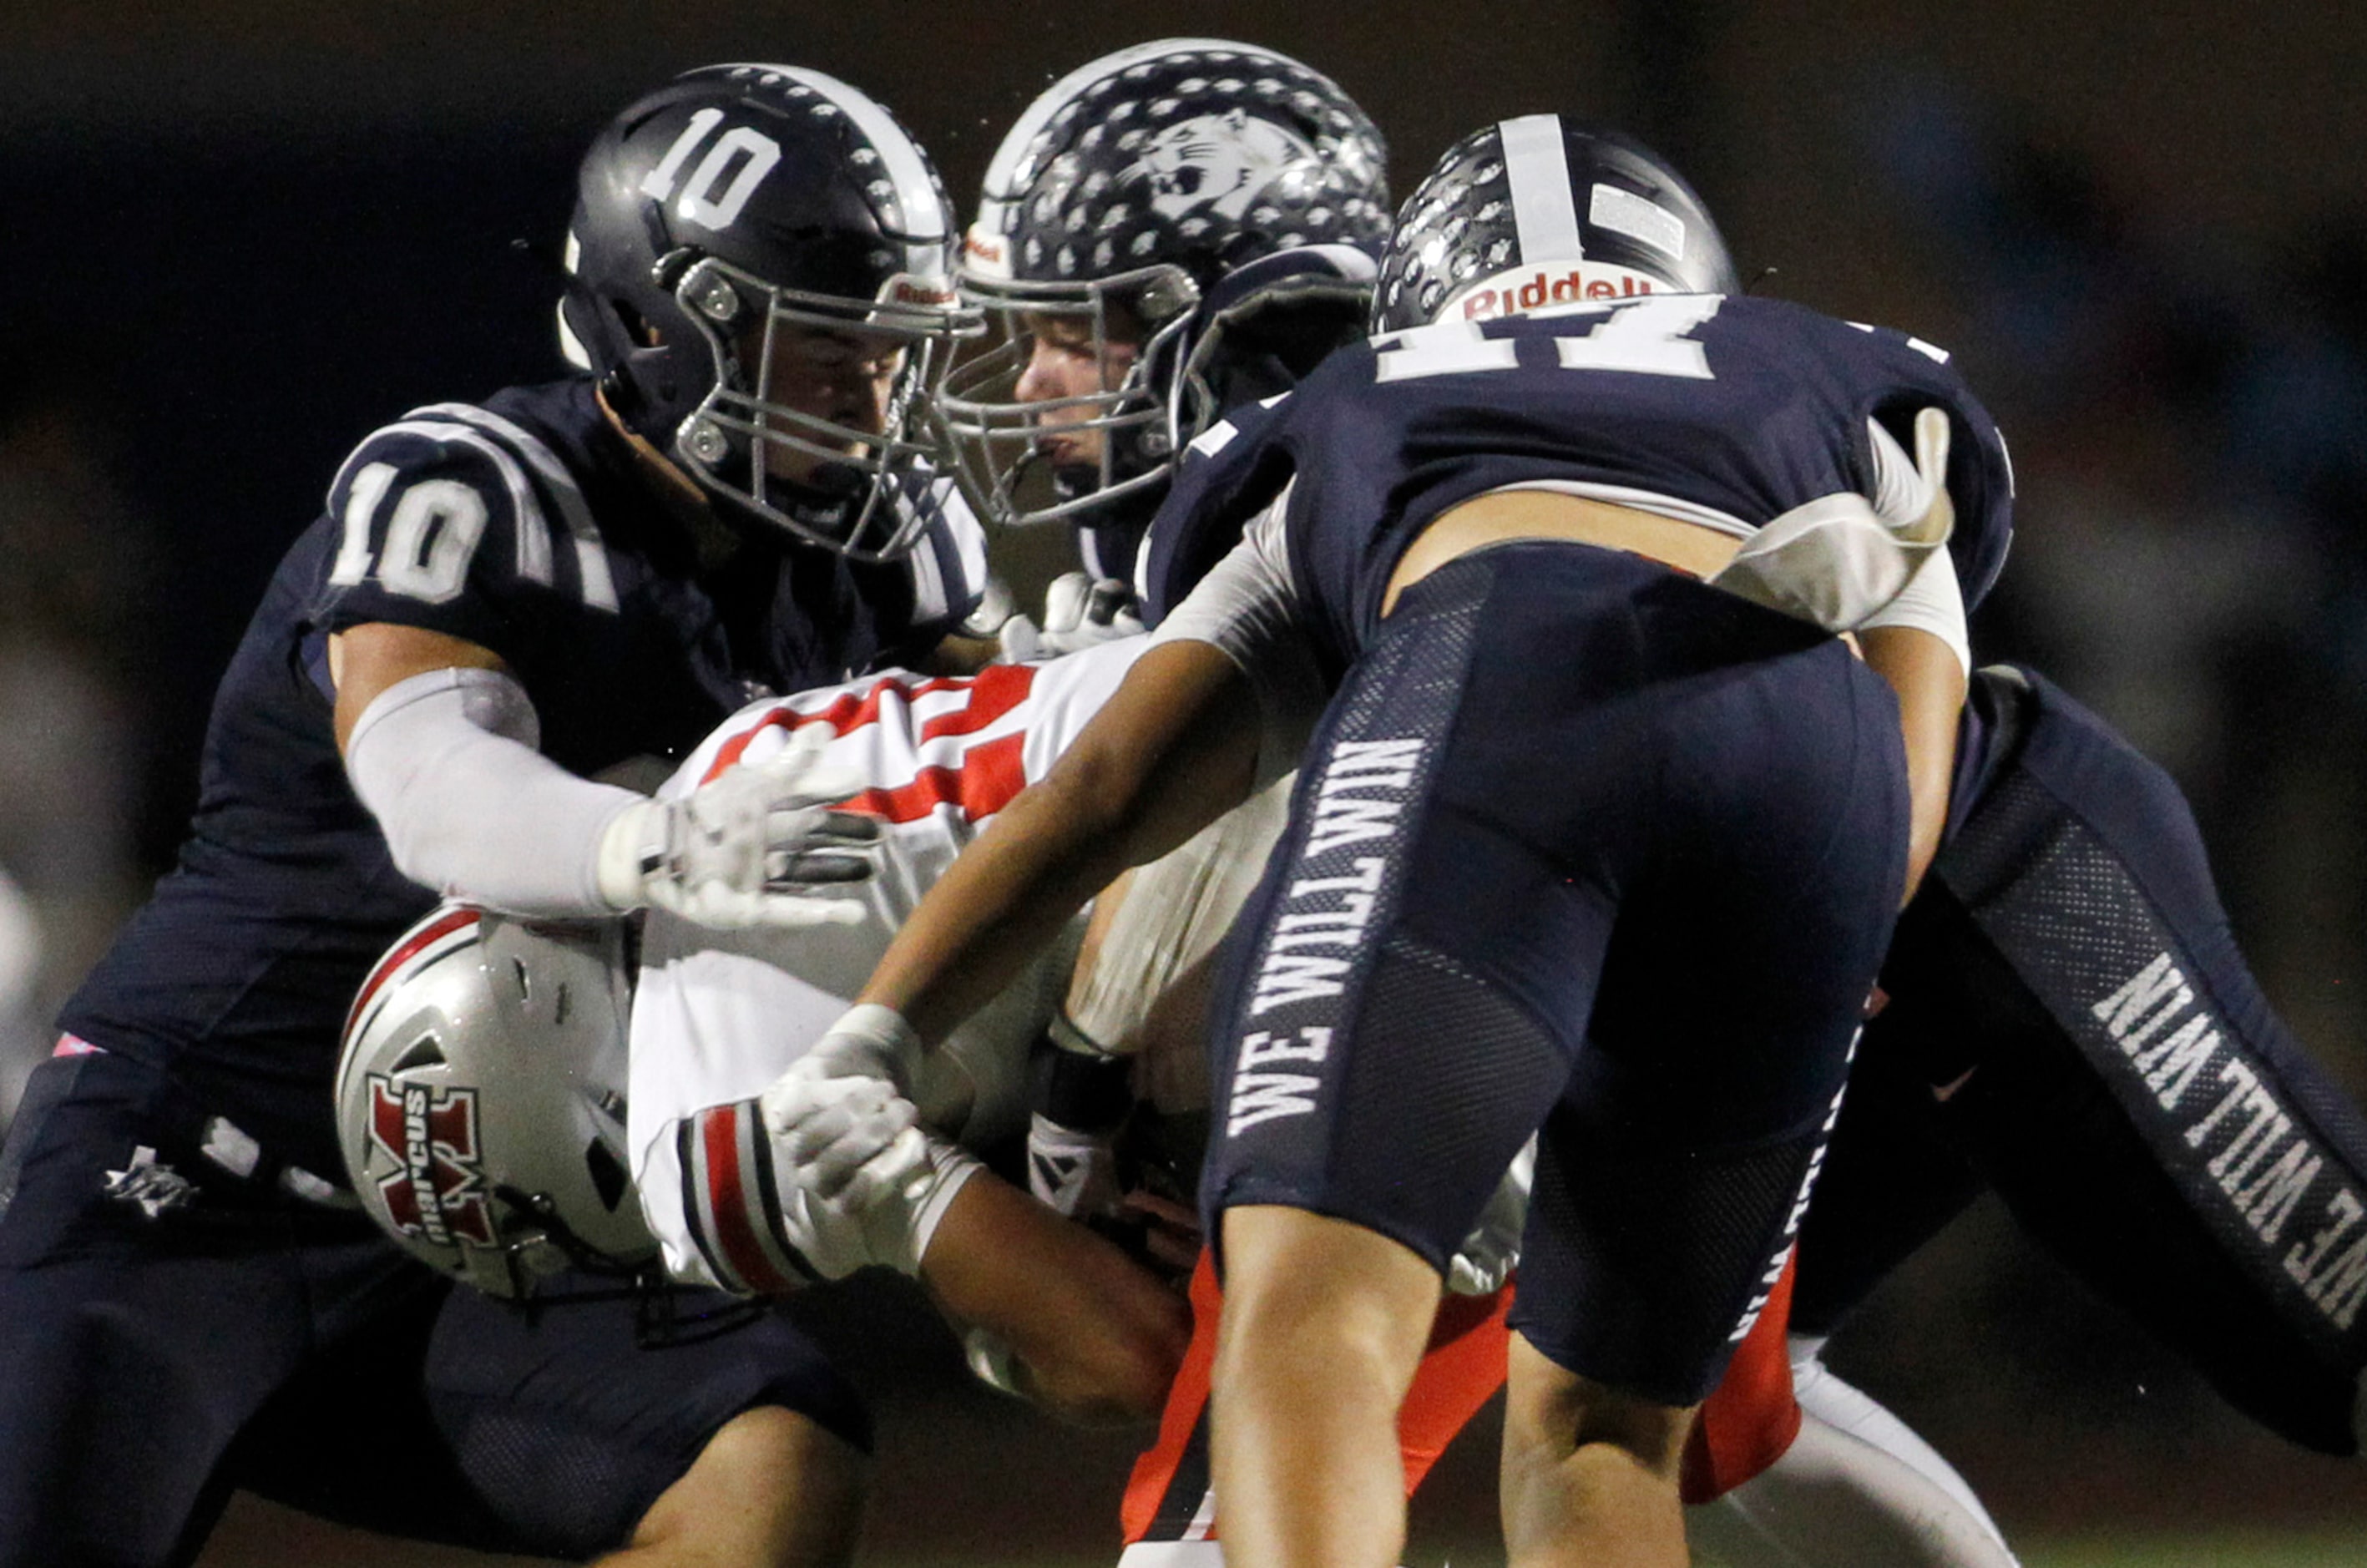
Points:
768	1491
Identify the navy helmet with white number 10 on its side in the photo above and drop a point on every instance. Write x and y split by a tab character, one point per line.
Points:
761	274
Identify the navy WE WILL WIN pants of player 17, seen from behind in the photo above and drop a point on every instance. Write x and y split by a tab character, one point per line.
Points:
1585	847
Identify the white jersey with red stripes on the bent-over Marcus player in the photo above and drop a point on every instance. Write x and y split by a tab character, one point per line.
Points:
723	1013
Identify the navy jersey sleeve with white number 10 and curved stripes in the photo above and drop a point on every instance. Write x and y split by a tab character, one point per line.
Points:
460	522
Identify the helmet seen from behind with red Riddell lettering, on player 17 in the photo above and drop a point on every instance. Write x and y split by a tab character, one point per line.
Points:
1533	214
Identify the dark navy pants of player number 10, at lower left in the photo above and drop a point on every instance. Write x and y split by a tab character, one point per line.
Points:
150	1365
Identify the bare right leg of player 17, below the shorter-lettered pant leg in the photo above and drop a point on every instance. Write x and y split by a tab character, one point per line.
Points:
1589	1474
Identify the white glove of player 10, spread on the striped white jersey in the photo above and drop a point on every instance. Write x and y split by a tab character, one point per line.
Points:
744	849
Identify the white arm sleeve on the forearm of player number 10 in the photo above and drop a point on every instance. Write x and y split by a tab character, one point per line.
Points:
449	766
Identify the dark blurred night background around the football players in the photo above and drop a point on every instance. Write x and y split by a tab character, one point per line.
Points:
236	238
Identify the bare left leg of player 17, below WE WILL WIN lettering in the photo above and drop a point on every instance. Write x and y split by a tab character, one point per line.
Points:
1324	1325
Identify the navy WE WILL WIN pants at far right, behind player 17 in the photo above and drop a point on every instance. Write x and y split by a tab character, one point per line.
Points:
2113	1072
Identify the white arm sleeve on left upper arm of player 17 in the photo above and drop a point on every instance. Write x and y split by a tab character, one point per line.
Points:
1249	608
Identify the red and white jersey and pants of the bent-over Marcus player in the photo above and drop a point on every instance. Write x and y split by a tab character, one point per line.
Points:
723	1013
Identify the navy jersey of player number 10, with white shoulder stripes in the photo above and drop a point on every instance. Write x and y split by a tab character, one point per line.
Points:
522	527
